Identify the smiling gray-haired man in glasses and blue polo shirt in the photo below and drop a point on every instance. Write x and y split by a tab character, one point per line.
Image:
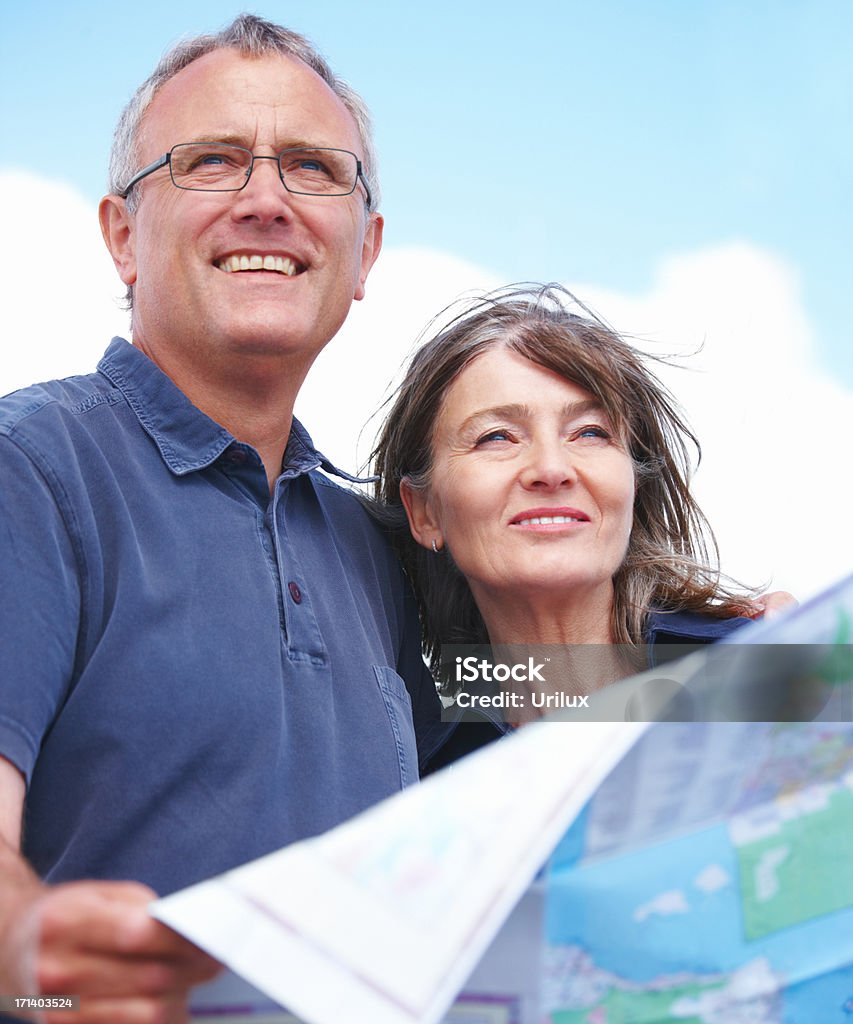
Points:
204	642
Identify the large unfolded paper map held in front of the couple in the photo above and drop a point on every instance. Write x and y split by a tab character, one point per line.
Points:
696	871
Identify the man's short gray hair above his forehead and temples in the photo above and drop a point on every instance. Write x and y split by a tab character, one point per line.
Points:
253	37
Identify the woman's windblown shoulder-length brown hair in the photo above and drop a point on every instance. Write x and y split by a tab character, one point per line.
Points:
672	552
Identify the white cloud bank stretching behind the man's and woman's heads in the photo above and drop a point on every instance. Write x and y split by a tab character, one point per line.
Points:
775	425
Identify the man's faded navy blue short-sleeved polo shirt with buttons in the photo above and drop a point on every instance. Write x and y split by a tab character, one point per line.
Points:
193	673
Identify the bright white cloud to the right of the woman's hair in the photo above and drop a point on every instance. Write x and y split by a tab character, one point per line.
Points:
774	424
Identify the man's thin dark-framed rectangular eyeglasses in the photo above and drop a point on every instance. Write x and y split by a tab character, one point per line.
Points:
223	167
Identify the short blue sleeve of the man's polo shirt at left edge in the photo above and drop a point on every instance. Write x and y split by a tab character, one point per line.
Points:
40	604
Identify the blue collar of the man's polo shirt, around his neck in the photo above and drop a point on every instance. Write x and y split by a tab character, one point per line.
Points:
187	439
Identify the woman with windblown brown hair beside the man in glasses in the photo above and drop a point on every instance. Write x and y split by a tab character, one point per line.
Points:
535	473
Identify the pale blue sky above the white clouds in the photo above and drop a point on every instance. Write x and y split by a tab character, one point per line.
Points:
560	141
